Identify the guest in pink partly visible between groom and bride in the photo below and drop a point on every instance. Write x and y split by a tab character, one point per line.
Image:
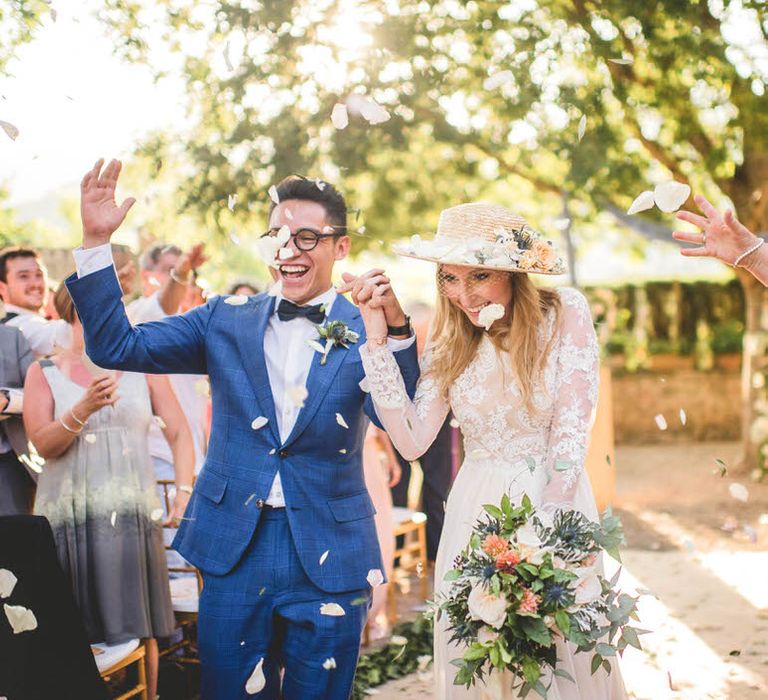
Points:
382	472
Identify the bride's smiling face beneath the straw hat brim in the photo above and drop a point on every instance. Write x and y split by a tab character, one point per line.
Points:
471	289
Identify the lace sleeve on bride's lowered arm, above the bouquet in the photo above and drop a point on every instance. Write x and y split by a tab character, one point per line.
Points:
577	381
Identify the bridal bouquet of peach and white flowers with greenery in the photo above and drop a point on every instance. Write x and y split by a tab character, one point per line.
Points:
526	579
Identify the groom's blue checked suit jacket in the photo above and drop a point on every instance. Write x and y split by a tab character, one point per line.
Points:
327	502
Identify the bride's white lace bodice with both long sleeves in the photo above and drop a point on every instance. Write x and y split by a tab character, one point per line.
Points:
487	402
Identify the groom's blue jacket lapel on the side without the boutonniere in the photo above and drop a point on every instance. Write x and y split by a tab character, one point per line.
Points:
252	320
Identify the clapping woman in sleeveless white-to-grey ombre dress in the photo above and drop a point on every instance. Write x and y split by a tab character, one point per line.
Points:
97	487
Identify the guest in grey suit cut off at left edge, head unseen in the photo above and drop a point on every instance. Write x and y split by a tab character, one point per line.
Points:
17	482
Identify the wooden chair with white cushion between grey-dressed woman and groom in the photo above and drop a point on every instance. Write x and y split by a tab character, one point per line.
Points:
185	596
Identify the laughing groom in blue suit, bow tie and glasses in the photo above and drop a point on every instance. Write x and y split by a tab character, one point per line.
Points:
279	522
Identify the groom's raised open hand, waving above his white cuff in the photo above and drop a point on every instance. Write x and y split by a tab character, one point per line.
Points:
100	213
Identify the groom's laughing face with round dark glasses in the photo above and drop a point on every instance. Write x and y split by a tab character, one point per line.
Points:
308	273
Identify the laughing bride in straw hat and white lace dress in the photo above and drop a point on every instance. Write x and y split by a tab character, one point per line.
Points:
518	366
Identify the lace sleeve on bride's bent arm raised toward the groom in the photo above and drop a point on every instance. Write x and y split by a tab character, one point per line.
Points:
411	425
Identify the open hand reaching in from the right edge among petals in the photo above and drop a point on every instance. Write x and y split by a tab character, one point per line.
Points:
721	236
